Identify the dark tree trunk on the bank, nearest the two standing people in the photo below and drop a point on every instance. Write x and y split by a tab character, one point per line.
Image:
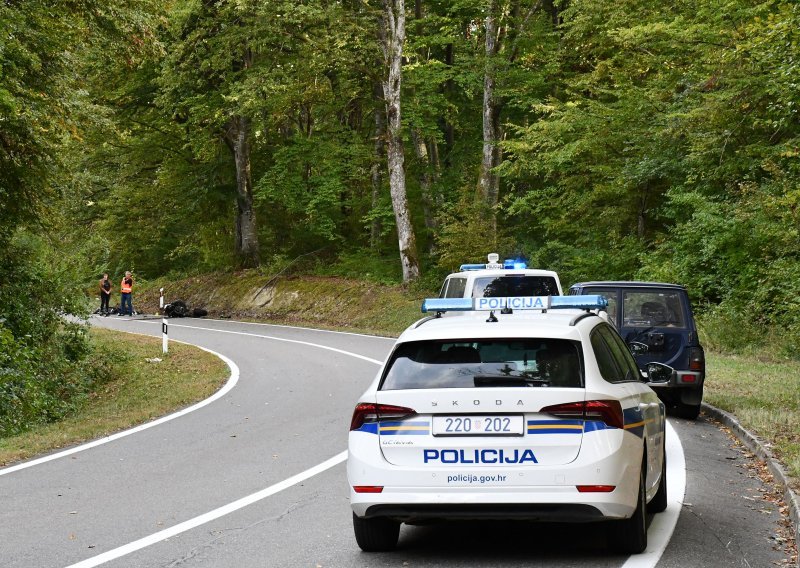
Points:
237	135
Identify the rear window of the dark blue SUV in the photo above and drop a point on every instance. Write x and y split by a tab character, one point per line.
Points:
653	308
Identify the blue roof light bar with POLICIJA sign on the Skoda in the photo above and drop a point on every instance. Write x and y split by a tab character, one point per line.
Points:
590	302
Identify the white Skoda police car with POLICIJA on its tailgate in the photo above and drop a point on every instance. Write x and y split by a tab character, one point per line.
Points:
539	414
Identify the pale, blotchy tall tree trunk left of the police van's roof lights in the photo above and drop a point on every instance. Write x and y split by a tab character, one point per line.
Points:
393	33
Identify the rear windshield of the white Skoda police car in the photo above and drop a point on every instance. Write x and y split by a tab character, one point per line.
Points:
485	363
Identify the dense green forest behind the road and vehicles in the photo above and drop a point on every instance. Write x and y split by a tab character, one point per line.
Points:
604	140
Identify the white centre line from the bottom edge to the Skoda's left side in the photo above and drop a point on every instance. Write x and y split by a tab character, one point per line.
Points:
210	516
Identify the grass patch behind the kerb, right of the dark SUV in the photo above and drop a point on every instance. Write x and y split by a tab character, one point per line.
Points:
764	396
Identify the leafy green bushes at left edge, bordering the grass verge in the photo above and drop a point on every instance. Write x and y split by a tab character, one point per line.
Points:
46	362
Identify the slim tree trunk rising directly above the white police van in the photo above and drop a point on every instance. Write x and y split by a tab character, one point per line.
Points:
488	182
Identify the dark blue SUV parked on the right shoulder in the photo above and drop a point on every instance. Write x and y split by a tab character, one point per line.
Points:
655	320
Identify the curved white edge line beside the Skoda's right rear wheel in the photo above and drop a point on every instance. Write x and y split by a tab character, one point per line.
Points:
663	524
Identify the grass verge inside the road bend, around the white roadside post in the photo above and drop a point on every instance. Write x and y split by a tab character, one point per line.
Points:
138	389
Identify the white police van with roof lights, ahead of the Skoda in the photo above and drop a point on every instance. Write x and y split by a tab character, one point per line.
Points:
512	277
